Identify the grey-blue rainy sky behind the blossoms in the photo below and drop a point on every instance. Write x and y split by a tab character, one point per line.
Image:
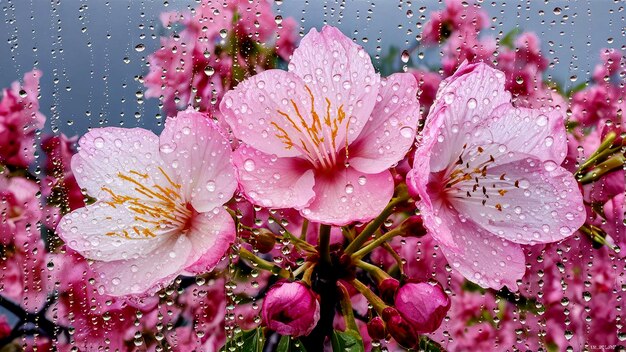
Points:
80	45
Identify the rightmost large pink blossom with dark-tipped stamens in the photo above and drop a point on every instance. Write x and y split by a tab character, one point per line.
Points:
489	179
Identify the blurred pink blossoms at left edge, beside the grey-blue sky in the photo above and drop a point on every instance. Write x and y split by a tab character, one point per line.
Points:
19	119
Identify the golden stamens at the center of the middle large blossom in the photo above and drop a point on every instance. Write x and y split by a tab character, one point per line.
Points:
316	140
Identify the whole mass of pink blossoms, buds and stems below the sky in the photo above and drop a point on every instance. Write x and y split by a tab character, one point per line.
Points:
322	207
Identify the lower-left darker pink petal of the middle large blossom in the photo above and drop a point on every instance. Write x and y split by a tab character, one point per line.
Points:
274	182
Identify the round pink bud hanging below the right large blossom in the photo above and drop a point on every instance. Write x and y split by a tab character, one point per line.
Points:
422	305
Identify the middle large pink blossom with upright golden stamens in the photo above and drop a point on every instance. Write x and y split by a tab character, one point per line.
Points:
321	137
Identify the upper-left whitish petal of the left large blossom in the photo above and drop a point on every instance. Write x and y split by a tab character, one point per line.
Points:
106	152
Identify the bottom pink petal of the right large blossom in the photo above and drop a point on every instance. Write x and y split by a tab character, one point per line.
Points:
485	259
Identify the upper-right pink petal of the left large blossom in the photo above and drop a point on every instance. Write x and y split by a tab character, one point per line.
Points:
198	155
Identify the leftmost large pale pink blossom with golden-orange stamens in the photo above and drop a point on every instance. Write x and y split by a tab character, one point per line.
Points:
159	210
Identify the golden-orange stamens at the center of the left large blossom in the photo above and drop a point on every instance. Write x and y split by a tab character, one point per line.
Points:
161	208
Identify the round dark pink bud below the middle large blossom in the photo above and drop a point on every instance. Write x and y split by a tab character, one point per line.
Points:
291	308
